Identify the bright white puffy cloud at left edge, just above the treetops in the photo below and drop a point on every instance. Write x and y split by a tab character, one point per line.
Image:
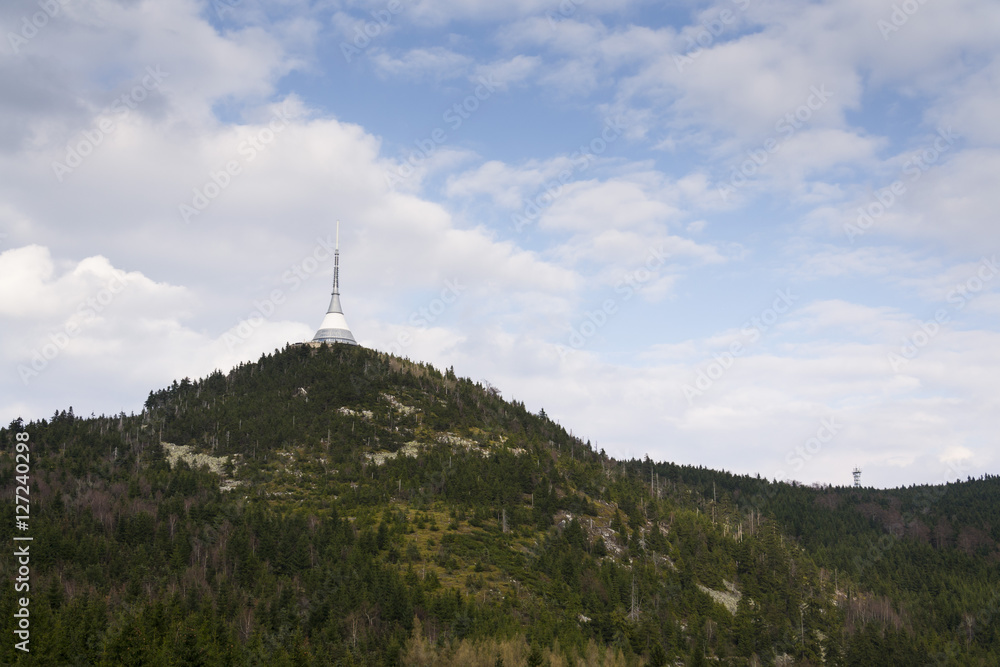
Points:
91	325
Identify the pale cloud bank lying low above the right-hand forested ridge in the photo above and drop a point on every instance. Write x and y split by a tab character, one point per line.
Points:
760	415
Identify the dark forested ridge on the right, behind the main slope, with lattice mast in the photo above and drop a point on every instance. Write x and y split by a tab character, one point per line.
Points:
934	550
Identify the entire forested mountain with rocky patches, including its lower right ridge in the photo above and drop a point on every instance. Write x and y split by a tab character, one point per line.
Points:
334	505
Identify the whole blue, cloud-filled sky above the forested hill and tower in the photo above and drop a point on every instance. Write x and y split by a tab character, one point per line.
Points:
751	235
